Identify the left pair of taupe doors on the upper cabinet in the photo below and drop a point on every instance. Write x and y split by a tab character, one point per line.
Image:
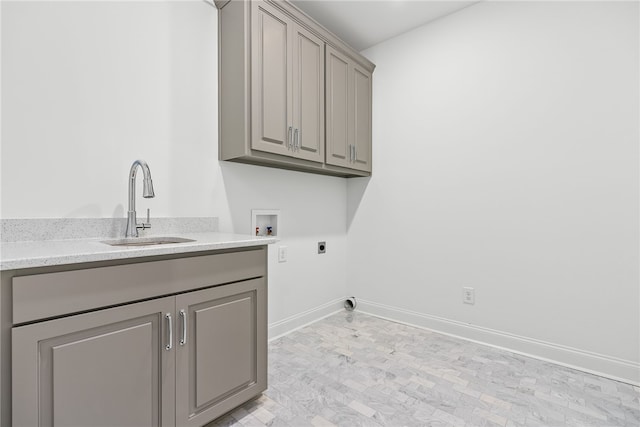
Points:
288	80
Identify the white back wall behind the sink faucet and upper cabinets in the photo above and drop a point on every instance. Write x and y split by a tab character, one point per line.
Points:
88	87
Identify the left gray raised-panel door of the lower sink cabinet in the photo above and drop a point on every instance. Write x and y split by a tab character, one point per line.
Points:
105	368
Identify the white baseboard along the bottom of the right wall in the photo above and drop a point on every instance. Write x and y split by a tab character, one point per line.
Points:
598	364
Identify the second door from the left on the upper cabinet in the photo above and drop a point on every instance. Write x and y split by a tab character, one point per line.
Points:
308	95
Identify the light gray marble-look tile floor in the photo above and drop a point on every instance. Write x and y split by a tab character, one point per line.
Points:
352	369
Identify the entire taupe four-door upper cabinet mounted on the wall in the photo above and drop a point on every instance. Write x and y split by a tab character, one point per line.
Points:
272	94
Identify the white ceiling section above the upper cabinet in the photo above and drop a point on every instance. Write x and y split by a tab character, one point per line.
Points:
364	23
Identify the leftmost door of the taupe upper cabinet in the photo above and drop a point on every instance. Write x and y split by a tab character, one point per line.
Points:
271	80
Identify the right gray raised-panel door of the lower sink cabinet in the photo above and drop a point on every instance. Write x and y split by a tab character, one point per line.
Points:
221	355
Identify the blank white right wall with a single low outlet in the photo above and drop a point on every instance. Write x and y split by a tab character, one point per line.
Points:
506	159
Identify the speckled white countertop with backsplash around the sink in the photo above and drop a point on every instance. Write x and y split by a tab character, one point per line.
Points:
15	254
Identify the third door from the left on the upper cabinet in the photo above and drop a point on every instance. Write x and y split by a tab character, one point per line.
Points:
339	151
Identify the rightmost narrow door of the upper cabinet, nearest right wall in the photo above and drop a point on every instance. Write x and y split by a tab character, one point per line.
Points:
362	118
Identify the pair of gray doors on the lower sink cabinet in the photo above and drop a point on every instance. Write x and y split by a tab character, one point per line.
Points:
181	360
